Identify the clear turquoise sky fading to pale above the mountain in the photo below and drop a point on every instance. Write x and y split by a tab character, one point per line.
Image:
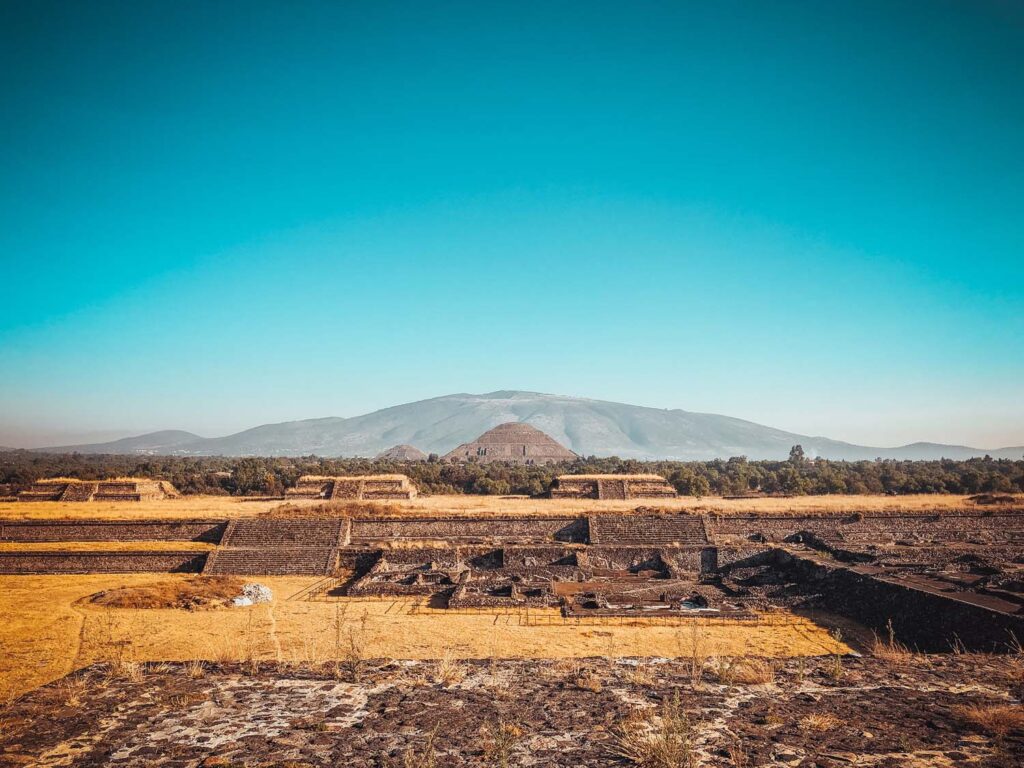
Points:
219	216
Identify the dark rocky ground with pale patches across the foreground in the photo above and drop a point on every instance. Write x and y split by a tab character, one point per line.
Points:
837	712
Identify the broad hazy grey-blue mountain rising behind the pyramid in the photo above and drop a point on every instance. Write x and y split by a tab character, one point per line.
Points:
587	428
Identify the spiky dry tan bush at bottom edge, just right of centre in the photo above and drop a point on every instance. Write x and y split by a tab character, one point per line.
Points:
662	739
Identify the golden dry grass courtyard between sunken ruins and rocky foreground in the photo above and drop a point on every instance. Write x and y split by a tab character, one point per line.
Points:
49	630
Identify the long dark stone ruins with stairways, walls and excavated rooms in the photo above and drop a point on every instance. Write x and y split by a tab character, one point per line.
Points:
938	580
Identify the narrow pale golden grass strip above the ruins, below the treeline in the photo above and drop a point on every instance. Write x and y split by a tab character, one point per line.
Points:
426	506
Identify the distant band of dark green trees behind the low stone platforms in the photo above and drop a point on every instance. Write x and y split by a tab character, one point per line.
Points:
271	477
